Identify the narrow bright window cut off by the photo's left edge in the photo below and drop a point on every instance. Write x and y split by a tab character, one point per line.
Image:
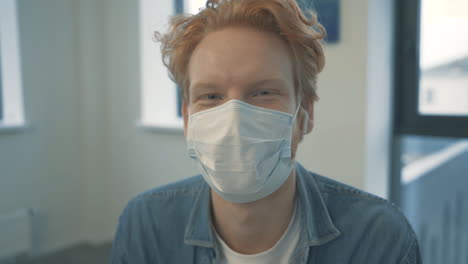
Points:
11	97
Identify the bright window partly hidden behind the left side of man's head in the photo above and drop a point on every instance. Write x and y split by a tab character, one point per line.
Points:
160	104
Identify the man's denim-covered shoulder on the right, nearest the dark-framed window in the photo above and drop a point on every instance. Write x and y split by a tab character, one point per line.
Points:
370	226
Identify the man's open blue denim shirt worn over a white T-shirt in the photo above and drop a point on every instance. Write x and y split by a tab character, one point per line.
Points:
340	224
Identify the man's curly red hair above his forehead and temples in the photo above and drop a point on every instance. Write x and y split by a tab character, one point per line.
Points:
282	17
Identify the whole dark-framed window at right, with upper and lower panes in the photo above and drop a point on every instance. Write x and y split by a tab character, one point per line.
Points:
430	180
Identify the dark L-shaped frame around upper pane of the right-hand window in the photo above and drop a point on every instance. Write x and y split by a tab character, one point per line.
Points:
408	120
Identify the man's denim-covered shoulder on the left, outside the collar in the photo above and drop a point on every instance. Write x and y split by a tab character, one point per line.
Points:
152	225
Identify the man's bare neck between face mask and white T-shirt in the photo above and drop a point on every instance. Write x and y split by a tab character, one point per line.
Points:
255	227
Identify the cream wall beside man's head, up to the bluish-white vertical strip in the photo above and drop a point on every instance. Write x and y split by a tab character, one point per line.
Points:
336	146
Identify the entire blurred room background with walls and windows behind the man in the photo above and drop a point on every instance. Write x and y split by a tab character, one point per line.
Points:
89	118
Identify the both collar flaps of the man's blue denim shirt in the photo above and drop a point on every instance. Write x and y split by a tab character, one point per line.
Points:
313	211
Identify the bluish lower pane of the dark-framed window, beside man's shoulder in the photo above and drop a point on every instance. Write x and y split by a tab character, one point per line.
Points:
434	195
